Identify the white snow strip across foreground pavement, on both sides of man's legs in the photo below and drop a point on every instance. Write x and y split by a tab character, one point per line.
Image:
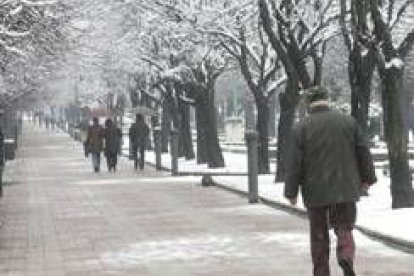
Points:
212	247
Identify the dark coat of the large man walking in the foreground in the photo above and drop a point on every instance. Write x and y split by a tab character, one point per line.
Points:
329	158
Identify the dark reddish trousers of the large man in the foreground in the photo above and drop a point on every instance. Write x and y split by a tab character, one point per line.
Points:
341	217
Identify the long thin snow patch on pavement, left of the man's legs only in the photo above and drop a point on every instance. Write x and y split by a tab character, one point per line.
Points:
208	248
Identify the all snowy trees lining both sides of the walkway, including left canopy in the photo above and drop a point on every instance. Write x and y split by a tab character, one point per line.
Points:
168	56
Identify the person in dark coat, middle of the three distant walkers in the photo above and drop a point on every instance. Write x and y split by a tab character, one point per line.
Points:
112	136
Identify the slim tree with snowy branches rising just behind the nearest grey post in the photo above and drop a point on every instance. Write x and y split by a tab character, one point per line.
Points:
239	31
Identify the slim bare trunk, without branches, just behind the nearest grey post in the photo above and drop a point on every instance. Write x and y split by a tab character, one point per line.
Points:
263	115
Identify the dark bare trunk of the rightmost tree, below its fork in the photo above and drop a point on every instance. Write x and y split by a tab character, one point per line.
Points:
396	135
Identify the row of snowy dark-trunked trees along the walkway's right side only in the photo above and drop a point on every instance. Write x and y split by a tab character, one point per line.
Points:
188	44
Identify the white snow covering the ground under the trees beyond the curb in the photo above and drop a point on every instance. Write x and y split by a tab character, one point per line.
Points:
374	212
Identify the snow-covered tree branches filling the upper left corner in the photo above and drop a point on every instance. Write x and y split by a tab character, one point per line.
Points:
30	34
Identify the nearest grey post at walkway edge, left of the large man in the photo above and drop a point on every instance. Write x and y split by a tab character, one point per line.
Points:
252	141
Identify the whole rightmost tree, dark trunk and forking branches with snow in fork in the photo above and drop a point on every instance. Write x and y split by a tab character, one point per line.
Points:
393	40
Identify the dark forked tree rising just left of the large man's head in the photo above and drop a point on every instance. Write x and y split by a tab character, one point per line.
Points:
298	32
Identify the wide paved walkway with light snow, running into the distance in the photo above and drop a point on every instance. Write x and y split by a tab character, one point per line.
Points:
60	218
